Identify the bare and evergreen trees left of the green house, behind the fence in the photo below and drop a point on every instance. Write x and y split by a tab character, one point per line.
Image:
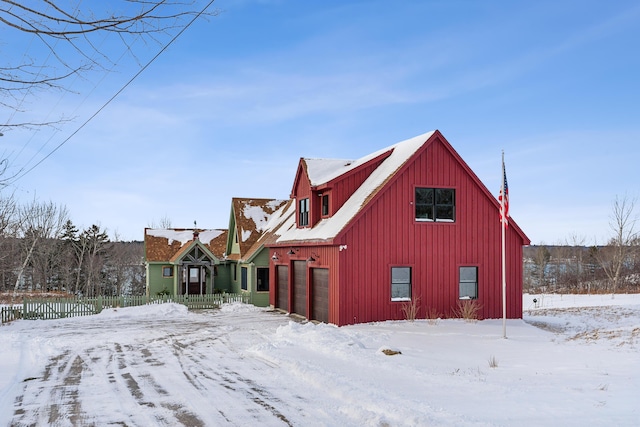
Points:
42	250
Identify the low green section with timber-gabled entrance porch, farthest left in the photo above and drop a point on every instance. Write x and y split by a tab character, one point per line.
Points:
185	261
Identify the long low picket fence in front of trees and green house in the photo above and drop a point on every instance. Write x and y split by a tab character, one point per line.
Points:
59	308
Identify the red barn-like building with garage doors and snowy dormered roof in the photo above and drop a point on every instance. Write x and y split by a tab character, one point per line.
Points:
411	222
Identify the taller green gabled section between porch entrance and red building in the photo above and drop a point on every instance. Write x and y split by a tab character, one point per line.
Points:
251	224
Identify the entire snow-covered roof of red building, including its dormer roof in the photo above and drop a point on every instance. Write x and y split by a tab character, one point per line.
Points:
321	171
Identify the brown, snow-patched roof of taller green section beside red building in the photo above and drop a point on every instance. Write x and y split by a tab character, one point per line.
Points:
252	219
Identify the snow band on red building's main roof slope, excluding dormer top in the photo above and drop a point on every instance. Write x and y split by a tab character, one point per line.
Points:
330	227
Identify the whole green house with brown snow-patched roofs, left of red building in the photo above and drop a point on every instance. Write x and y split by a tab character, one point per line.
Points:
198	261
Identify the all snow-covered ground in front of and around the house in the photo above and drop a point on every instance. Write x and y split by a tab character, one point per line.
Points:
572	361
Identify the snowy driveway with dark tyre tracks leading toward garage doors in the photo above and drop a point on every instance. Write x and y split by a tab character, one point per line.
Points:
174	369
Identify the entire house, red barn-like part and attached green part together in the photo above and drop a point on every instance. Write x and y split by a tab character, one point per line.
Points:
357	241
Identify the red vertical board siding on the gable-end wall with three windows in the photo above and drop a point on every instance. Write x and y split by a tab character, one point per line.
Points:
385	234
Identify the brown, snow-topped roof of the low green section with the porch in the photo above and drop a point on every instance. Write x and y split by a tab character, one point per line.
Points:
163	245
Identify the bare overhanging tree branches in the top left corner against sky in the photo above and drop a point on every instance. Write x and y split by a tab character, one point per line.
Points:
73	38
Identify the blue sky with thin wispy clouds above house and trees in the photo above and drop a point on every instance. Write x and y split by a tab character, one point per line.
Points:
233	104
